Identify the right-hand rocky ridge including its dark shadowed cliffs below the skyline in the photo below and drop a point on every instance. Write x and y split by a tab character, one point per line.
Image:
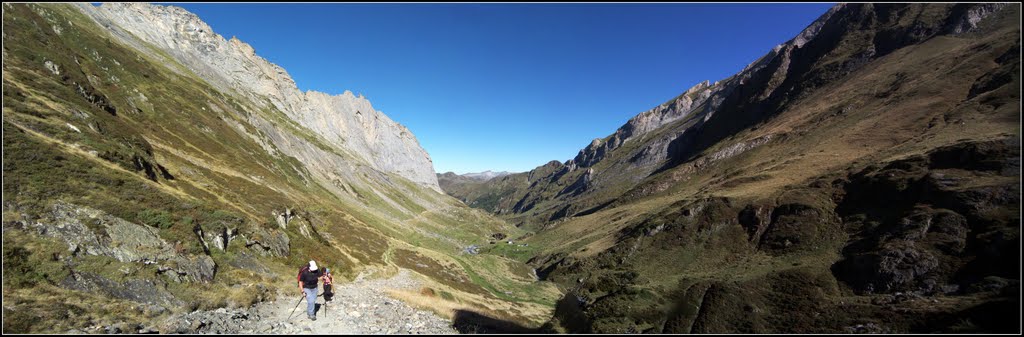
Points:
682	129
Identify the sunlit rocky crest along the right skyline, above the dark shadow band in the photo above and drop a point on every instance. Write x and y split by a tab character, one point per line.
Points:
651	134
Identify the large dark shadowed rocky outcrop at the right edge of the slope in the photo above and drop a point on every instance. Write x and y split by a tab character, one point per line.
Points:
921	219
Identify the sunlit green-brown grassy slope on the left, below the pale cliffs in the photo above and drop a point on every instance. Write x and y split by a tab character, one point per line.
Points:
106	145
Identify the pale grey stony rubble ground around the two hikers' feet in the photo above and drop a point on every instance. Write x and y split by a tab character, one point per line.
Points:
359	308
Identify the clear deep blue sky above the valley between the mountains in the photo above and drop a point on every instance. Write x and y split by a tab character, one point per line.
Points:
509	87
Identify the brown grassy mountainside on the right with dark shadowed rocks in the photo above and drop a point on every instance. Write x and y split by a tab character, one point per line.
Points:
865	181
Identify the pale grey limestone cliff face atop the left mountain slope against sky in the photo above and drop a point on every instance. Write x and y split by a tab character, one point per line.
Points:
346	121
